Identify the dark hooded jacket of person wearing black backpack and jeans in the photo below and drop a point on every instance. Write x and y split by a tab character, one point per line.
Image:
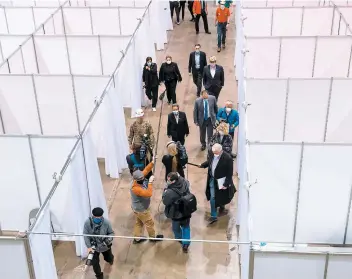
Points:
171	196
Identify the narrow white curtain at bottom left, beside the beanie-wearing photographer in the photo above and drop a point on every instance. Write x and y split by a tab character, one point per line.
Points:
41	247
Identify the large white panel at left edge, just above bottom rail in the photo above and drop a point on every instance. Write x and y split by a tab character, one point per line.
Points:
19	192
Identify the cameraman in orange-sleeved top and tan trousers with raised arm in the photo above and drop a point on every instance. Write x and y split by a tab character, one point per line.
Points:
141	193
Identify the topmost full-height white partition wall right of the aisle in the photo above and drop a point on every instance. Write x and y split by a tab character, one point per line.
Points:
294	21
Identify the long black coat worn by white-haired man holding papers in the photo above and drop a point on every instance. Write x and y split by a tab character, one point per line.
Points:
223	169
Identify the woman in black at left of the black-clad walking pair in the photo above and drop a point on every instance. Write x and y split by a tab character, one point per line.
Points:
151	82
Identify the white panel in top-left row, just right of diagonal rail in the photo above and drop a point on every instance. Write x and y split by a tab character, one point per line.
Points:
83	26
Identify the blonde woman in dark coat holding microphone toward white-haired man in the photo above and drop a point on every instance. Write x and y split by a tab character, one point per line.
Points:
173	161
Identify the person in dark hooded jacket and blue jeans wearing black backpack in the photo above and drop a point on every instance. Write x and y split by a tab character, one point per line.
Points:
179	203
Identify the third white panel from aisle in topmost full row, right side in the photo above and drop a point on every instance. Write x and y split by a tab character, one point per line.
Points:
317	21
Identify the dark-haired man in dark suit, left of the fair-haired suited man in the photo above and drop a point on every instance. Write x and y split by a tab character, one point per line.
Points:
196	64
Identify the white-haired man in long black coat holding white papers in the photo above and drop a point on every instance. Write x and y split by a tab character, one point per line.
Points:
220	188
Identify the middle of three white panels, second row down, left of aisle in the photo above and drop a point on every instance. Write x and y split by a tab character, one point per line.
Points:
84	55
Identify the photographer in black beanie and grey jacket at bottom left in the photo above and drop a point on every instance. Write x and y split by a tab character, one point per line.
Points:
98	225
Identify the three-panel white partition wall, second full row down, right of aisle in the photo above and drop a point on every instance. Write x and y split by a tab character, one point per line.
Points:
301	57
